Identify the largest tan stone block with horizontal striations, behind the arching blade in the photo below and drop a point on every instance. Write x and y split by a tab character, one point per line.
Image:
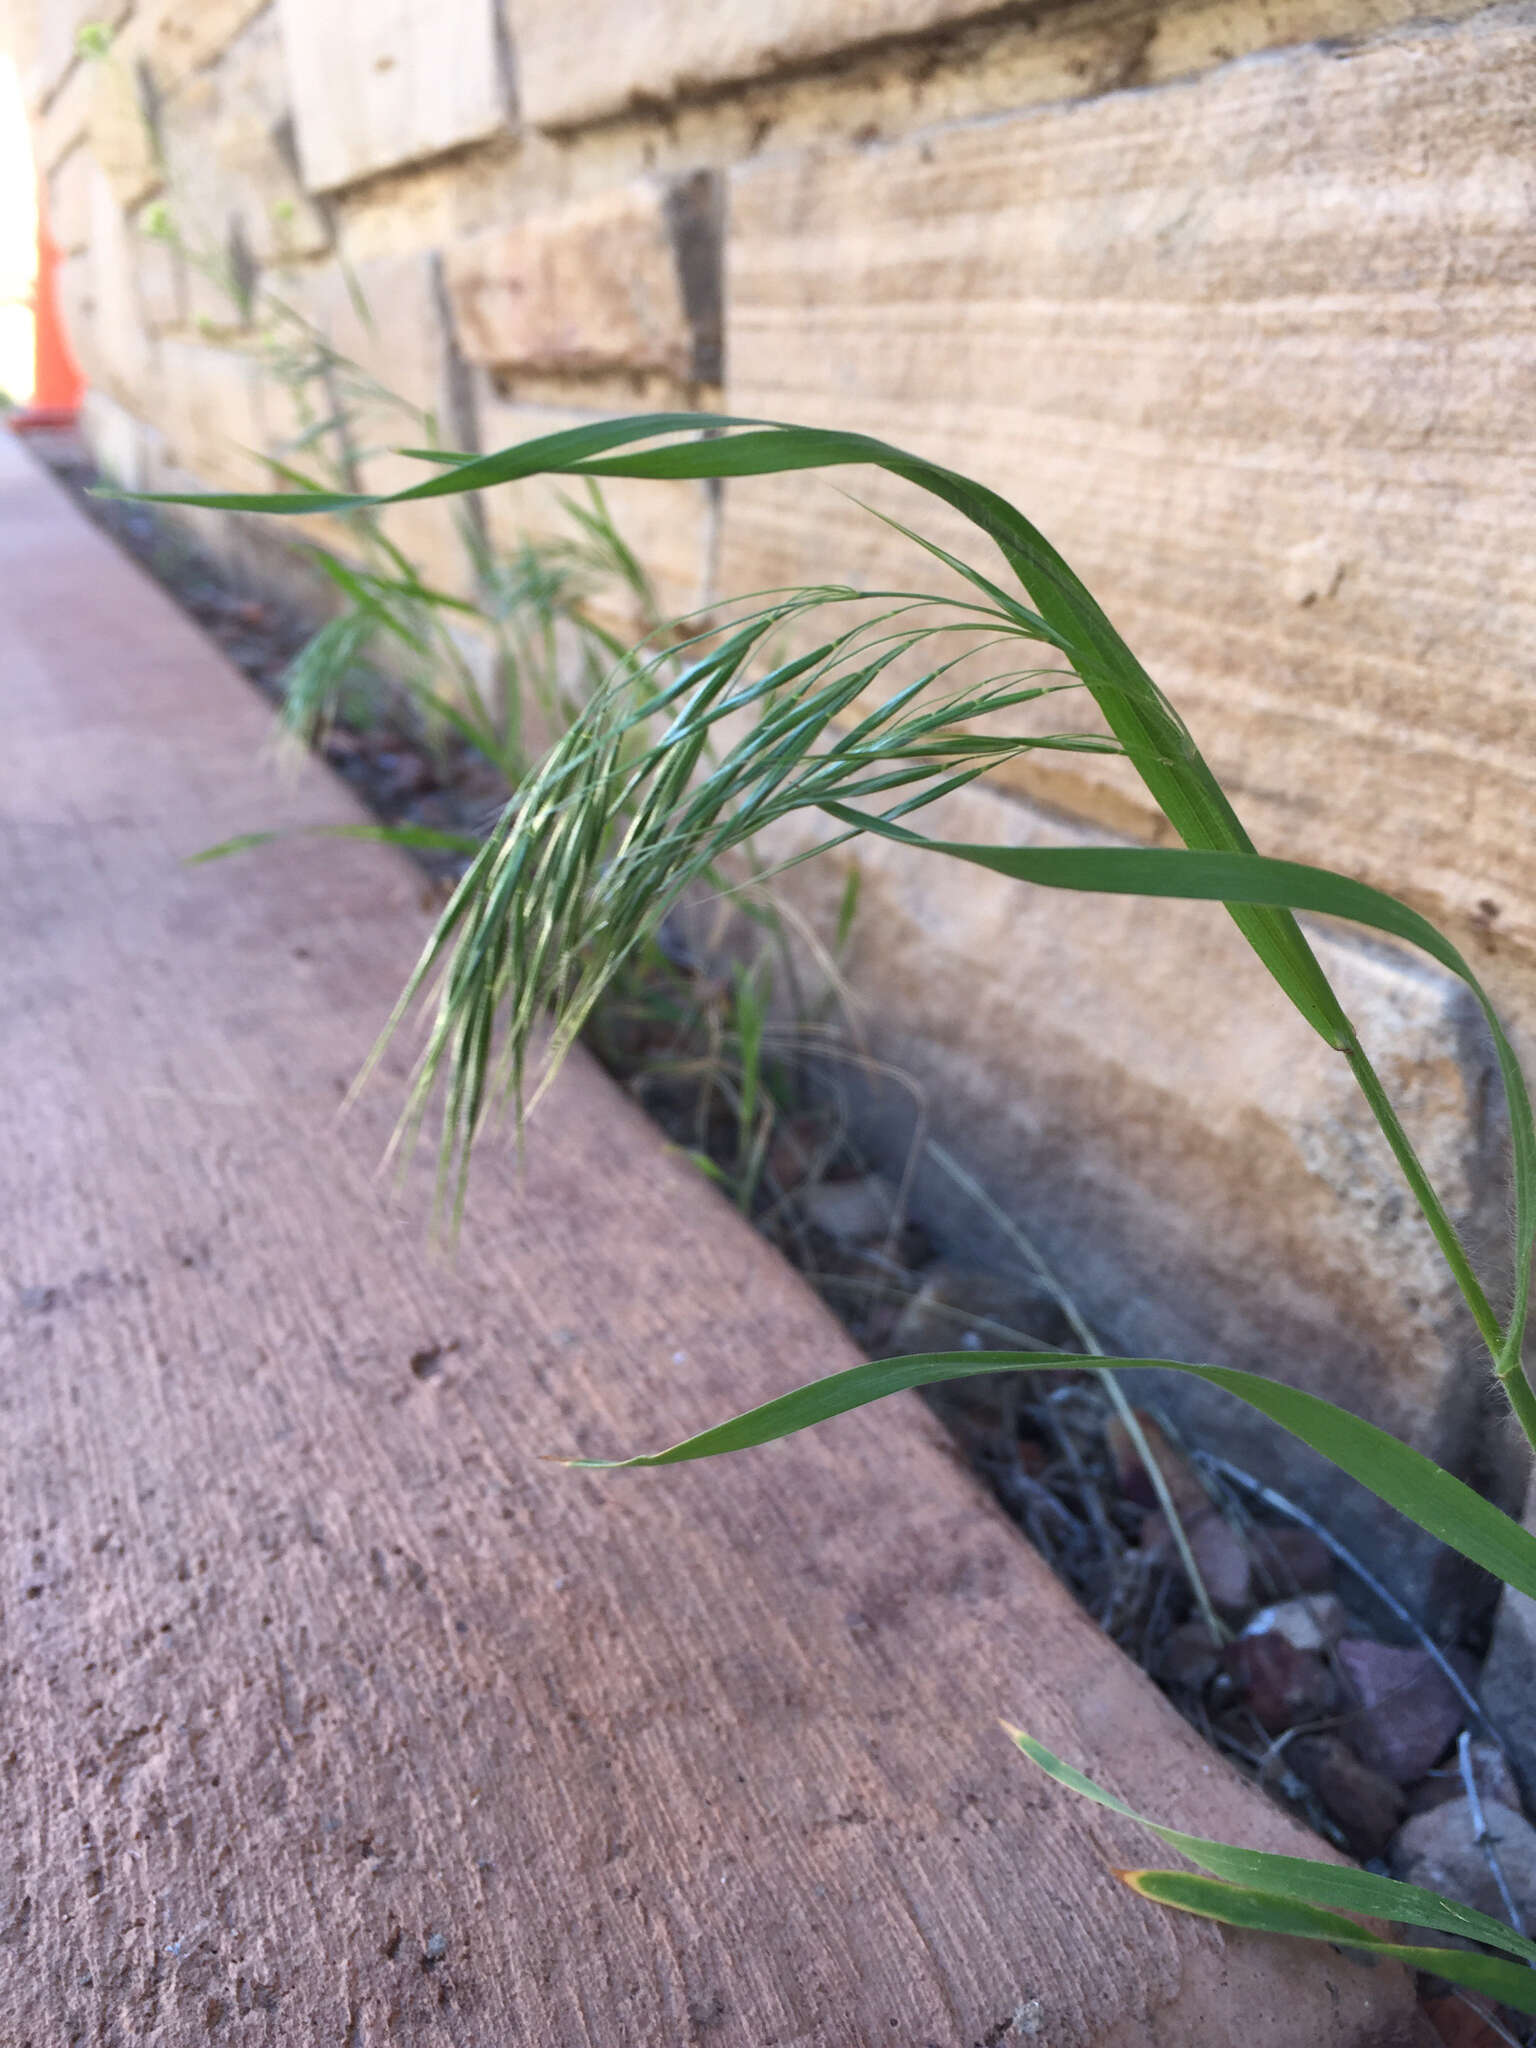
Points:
1261	357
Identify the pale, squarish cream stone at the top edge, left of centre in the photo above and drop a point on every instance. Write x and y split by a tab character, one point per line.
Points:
382	83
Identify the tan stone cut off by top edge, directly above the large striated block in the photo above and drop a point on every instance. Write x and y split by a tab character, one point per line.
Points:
583	58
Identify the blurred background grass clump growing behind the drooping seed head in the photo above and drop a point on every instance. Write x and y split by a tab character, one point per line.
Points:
505	673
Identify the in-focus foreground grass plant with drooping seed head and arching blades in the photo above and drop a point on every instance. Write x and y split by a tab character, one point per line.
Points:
882	706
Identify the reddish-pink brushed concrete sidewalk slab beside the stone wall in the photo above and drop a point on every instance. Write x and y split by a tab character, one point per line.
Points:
331	1715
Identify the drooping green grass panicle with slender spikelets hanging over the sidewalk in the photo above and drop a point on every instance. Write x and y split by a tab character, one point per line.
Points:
634	806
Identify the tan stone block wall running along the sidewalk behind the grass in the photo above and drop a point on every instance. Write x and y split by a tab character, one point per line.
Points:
1236	298
